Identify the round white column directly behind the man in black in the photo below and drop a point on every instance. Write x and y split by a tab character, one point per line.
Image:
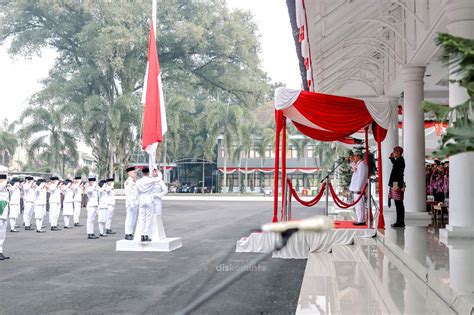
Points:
414	142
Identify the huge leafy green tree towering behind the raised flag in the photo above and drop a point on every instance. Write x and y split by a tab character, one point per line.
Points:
204	49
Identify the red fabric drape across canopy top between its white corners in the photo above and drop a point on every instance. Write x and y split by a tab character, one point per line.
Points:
333	113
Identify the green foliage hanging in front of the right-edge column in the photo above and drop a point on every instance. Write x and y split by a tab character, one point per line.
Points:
458	54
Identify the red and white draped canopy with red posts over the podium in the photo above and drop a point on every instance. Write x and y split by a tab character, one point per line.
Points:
328	118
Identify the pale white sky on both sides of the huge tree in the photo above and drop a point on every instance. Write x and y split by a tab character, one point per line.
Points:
19	77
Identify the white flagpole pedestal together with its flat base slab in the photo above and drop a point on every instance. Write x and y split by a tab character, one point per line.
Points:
159	243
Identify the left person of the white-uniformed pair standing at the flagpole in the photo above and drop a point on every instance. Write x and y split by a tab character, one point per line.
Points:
131	202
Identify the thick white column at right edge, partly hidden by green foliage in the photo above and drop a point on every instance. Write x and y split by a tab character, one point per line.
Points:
461	166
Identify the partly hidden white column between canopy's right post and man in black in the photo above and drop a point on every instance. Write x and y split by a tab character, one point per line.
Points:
391	140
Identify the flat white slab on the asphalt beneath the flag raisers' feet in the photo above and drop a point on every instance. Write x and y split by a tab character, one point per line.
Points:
165	245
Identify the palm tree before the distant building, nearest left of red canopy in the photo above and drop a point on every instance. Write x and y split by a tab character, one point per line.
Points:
222	119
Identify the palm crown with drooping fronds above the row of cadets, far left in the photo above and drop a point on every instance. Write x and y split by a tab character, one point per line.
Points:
48	135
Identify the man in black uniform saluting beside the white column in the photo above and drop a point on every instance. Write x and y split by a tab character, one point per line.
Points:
397	185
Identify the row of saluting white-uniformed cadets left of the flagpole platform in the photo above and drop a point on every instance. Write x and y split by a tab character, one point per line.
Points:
35	201
